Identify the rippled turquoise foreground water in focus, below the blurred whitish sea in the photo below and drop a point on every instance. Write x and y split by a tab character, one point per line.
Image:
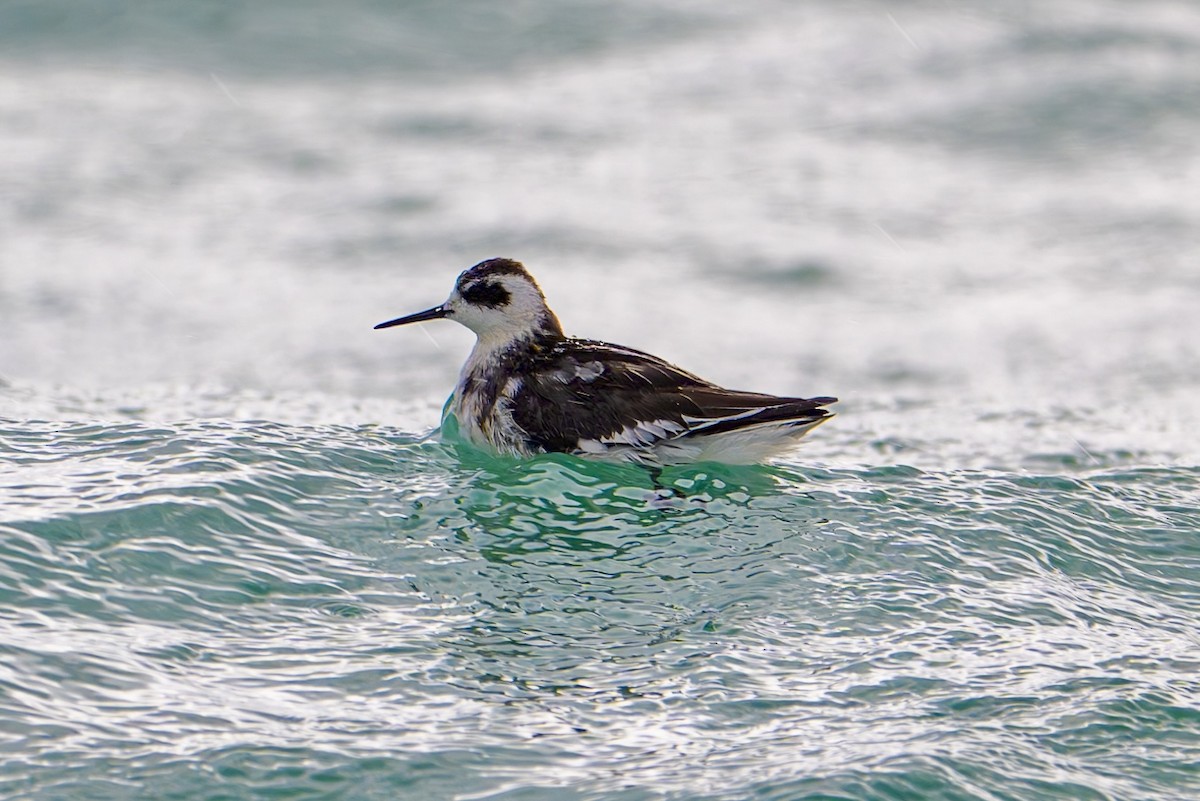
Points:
218	610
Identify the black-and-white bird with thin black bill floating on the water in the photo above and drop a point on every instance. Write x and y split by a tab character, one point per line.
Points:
529	389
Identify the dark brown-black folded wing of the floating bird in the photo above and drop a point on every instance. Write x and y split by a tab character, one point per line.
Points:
580	394
